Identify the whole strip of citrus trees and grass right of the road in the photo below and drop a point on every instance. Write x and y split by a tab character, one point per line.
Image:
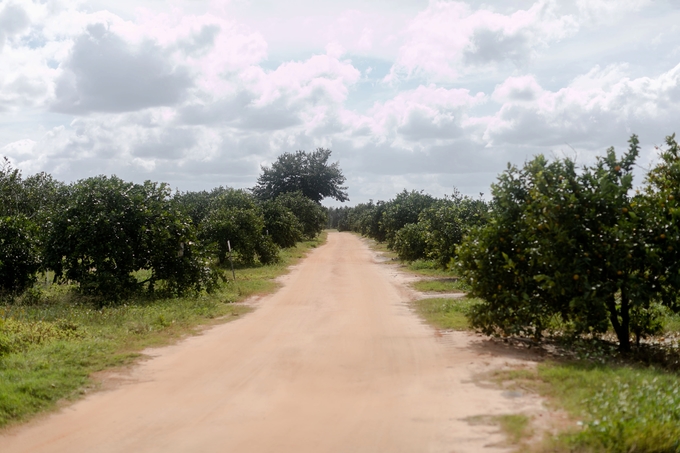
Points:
577	261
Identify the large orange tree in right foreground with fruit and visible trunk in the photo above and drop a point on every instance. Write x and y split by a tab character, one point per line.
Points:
568	244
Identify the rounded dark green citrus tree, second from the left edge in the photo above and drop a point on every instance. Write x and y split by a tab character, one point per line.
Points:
107	229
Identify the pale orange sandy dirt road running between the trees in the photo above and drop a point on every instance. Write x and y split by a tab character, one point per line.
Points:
333	362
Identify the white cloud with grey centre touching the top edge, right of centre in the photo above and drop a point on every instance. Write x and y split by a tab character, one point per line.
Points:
449	38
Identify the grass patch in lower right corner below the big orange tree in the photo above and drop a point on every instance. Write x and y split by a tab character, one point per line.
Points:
615	408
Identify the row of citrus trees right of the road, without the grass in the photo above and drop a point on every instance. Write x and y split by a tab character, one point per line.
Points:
577	249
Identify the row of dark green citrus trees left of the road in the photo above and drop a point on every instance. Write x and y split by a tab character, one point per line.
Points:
116	238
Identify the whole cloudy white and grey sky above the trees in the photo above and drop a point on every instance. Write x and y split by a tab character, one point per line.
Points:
408	94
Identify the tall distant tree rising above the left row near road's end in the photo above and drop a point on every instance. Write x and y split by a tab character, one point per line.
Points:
309	174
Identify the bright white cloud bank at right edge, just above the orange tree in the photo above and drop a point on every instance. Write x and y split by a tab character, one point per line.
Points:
600	107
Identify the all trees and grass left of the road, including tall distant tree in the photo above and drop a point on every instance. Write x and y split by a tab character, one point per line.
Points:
94	271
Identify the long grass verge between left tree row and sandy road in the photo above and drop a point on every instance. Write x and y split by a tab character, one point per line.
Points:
52	341
